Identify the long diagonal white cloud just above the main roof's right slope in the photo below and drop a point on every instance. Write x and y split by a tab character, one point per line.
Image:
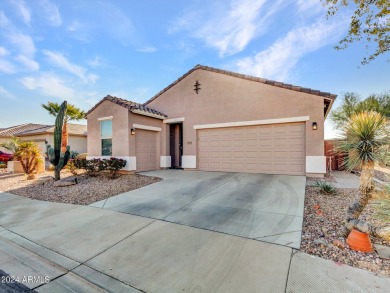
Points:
279	59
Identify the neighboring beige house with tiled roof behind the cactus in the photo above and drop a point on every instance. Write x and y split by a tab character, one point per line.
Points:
44	135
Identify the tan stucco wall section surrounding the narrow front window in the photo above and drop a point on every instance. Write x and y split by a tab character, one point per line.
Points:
120	129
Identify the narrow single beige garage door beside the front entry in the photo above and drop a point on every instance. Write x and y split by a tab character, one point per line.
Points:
146	150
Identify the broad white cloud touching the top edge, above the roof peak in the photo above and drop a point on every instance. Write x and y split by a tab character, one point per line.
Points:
229	30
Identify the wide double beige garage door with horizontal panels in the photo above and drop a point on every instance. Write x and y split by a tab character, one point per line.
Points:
270	149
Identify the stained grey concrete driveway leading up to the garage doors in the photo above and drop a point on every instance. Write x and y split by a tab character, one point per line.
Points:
256	206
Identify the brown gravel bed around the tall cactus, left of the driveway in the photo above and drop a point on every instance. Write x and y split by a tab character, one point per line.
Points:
87	191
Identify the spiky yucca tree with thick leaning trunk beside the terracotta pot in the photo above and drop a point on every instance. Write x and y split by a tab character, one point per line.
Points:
364	136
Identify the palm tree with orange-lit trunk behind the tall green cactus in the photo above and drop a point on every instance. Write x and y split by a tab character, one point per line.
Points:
72	113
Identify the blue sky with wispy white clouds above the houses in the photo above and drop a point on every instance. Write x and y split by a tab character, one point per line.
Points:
51	50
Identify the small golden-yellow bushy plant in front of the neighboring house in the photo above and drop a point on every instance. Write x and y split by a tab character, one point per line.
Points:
28	154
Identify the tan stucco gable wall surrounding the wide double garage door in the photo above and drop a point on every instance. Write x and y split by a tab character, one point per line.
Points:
224	98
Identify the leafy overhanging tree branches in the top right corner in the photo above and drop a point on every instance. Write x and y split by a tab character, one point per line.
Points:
370	23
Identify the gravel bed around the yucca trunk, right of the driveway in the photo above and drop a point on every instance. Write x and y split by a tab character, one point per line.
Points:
323	216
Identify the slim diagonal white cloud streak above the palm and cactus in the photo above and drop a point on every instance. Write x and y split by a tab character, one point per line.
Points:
61	61
